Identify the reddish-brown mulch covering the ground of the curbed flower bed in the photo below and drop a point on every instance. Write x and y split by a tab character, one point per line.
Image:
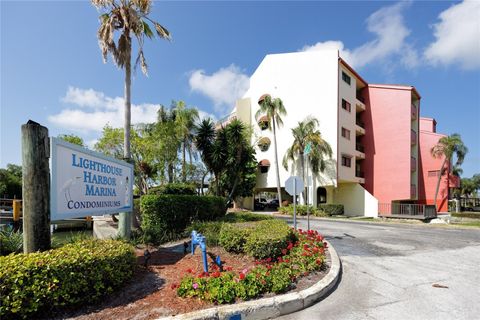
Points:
149	294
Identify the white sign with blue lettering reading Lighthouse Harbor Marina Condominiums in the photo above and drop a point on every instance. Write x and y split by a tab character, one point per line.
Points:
85	183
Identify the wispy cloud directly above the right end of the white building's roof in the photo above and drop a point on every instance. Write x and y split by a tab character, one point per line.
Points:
390	40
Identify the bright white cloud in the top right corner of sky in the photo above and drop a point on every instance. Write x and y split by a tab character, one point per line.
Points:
457	36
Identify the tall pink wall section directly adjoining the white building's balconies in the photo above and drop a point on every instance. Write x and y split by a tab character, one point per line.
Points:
387	143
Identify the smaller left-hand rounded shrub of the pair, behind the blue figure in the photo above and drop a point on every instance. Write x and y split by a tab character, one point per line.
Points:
233	236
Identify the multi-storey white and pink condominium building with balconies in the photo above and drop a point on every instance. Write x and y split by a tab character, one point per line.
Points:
381	146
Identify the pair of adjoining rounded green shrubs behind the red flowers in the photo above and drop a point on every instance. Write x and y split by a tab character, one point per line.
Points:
260	240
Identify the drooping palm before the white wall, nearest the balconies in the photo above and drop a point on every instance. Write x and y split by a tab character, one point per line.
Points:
306	133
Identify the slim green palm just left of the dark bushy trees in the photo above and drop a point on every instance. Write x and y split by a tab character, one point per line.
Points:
186	123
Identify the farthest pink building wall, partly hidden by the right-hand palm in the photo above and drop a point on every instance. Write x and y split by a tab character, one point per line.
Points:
430	166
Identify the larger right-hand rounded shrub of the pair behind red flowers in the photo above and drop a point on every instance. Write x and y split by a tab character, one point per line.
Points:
268	239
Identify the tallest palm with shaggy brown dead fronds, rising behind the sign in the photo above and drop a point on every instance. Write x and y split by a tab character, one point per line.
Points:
128	17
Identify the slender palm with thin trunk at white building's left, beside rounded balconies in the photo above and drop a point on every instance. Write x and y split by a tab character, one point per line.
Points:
273	109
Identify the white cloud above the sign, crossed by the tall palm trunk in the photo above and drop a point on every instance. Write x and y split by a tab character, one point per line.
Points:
96	110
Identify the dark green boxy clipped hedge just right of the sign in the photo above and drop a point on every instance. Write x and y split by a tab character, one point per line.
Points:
163	214
